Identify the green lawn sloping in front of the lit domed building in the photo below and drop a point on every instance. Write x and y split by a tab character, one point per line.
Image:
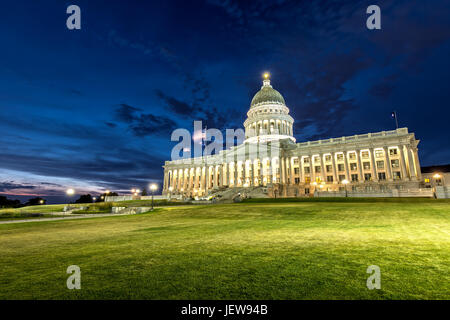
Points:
254	250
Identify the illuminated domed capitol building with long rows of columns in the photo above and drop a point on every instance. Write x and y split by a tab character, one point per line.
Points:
384	163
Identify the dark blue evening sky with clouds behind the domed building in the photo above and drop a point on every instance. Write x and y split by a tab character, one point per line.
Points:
94	108
